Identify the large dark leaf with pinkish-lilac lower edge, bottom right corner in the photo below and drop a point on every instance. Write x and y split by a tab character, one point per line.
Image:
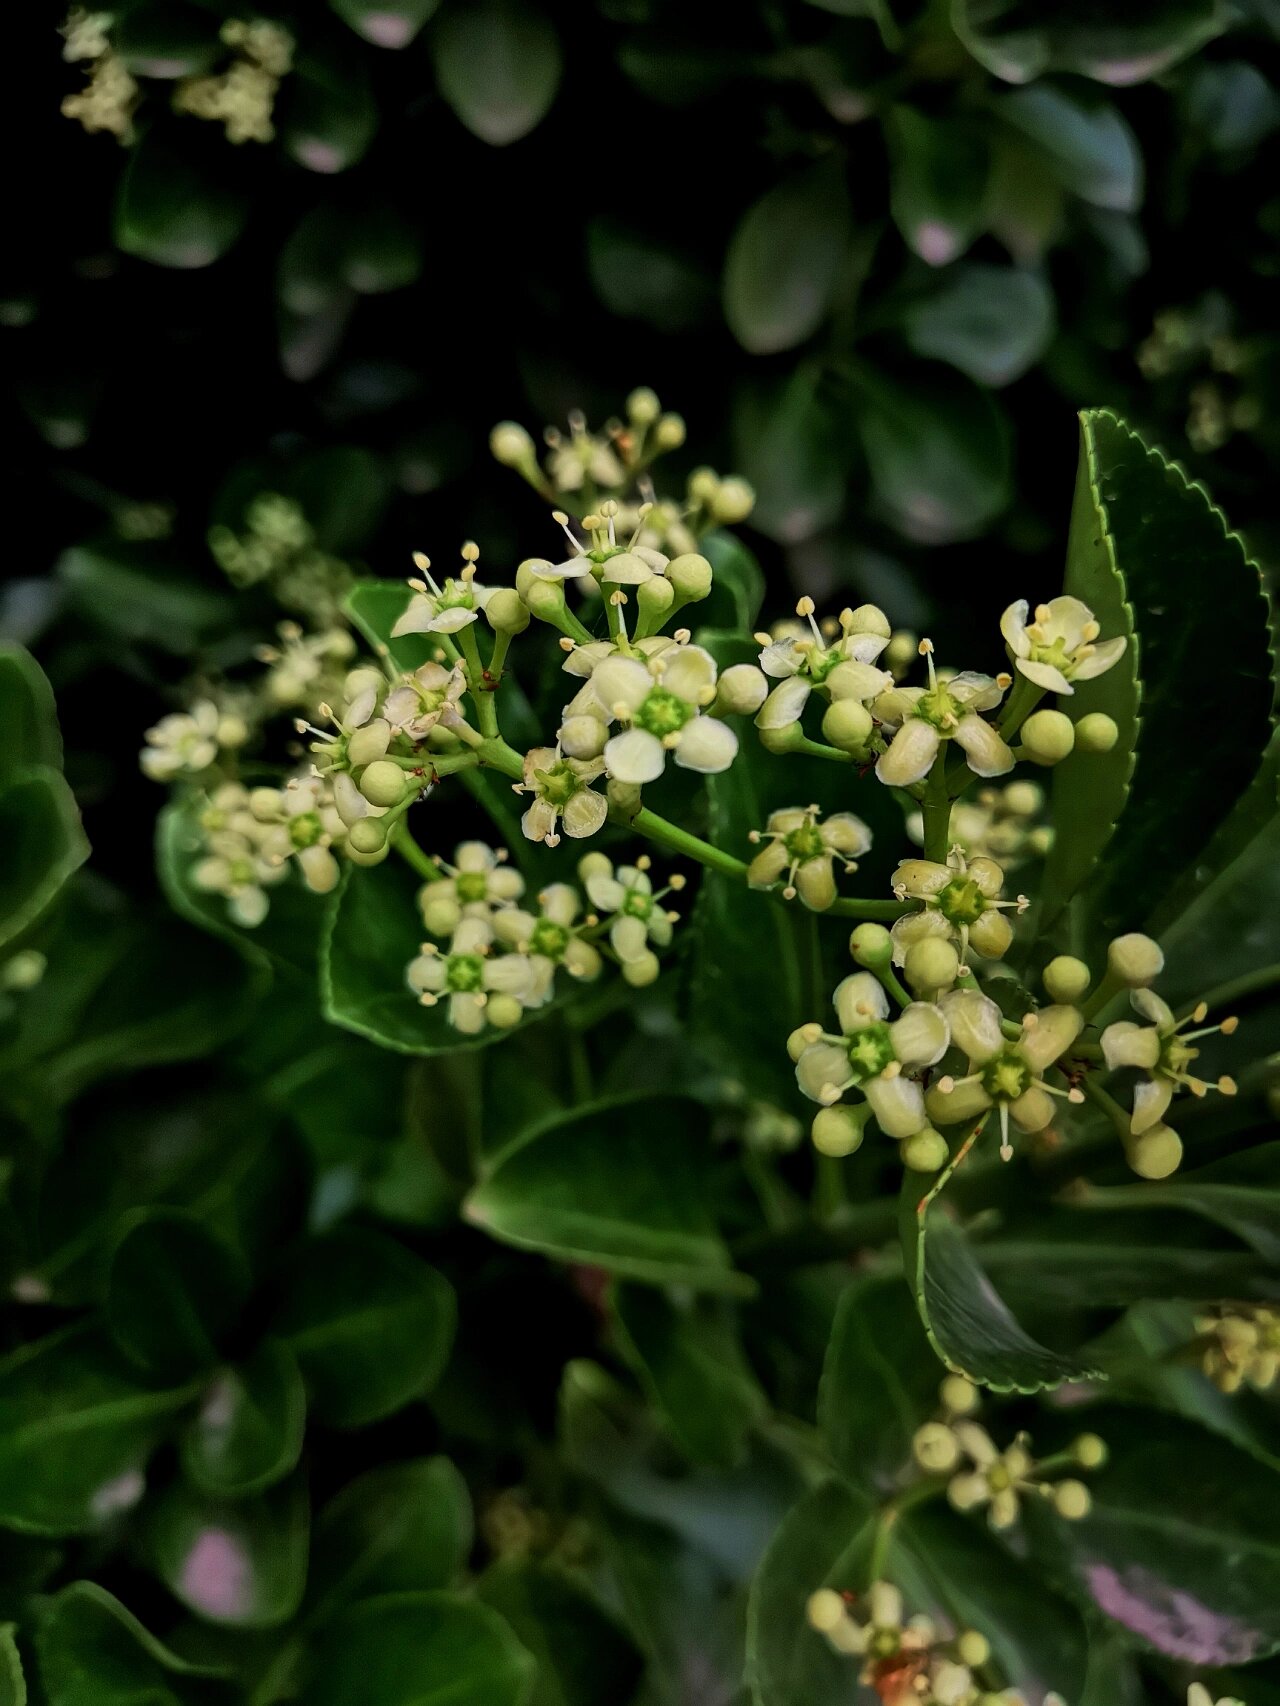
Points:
1180	1545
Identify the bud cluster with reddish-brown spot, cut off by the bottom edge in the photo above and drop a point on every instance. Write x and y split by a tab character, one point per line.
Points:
907	1662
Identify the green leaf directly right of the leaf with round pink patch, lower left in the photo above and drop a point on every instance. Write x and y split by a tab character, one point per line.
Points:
404	1528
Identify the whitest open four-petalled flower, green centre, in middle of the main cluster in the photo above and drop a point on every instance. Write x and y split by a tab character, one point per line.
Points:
663	700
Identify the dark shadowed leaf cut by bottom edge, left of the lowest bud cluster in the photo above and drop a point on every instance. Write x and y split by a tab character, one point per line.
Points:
583	1656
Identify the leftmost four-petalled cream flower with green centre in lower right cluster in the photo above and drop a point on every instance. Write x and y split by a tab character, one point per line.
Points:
870	1055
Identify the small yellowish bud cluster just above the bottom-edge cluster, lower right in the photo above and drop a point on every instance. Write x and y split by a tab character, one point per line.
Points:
980	1477
